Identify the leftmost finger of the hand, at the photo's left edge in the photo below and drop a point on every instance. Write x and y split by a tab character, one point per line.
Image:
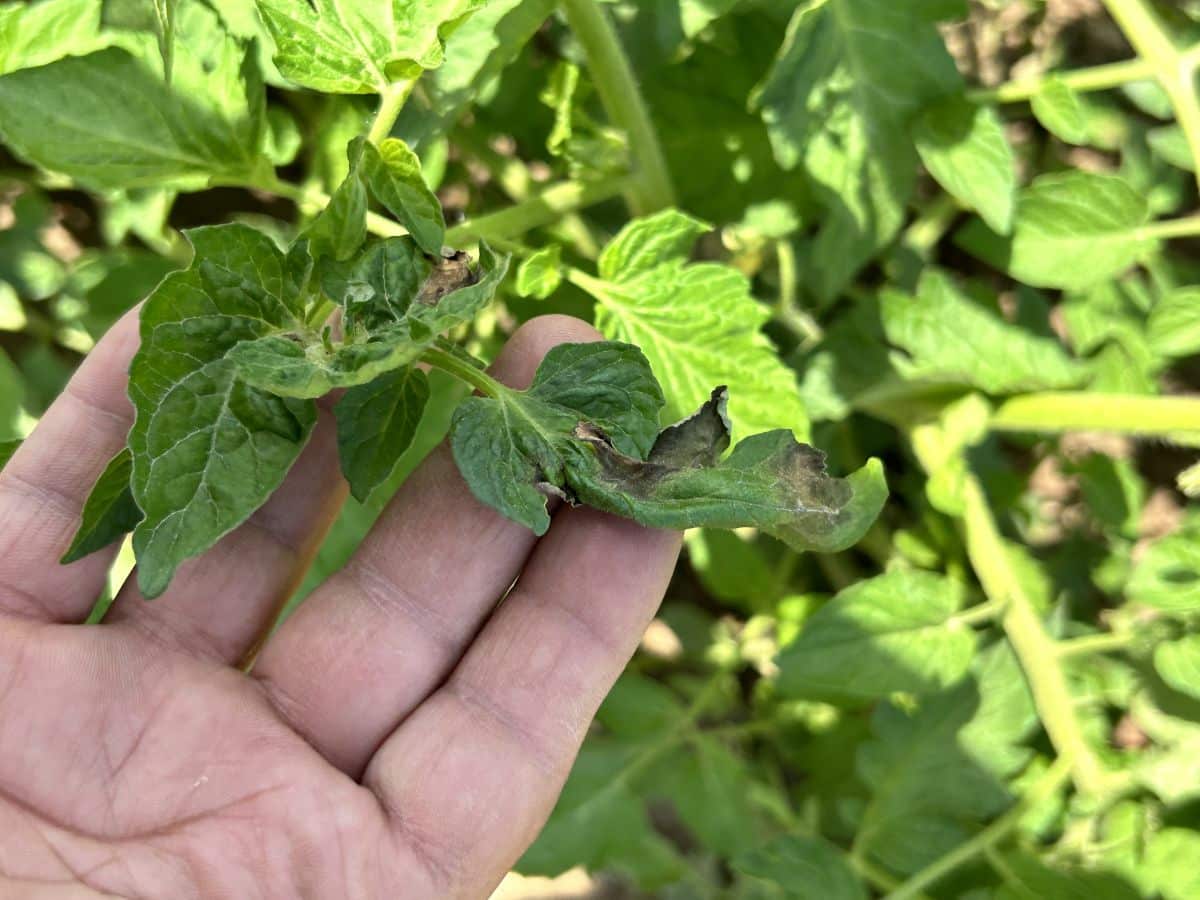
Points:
45	485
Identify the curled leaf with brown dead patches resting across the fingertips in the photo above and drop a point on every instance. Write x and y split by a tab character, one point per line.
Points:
559	437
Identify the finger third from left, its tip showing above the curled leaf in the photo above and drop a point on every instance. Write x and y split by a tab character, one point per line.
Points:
385	632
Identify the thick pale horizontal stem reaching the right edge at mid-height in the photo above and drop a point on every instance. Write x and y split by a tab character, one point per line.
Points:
1124	413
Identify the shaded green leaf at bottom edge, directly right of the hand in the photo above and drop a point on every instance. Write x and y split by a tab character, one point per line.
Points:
601	824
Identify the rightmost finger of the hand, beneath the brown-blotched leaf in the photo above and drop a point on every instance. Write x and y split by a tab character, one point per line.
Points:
471	777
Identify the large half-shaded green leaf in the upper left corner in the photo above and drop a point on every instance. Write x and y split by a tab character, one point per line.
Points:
110	121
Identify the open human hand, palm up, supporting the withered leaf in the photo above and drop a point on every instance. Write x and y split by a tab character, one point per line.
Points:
399	737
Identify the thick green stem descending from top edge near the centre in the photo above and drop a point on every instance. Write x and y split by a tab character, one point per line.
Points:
622	100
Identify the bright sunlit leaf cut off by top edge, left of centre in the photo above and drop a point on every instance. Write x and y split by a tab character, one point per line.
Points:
359	46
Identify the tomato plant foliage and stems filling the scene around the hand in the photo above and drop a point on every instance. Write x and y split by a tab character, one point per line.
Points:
940	241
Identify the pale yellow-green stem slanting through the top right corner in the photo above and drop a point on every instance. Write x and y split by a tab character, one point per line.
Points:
1173	68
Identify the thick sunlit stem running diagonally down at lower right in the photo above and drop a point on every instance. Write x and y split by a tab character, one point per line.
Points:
1034	647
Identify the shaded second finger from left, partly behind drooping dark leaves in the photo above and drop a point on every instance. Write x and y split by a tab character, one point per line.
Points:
221	604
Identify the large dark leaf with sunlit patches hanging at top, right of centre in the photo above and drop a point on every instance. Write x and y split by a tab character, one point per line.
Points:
838	100
